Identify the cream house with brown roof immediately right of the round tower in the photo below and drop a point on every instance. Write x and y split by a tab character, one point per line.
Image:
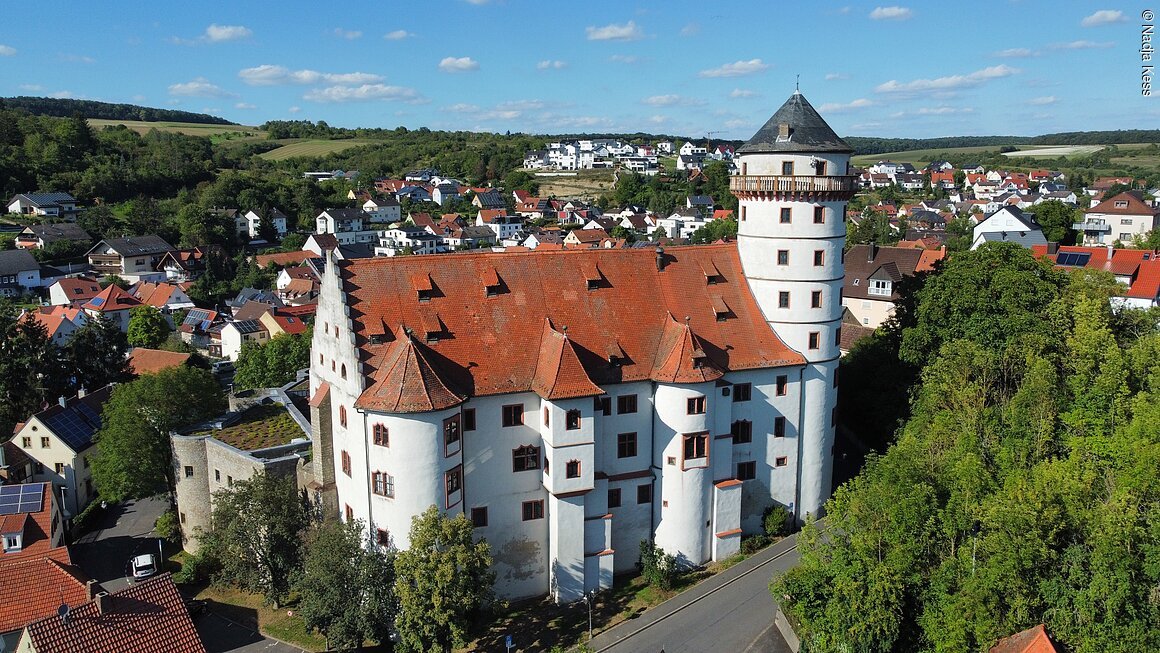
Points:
873	274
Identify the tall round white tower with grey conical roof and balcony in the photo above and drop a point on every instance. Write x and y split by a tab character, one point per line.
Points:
793	186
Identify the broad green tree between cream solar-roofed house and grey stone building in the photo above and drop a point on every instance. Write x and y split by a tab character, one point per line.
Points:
134	456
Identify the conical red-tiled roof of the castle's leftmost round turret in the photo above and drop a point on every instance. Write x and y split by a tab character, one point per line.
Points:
409	381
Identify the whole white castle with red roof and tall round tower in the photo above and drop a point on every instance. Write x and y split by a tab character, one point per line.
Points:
576	403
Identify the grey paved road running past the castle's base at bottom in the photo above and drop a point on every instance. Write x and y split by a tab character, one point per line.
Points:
731	612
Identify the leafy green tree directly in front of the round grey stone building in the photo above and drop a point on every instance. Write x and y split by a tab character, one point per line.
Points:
257	540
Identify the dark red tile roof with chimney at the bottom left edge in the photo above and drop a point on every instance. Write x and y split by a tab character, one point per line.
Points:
144	618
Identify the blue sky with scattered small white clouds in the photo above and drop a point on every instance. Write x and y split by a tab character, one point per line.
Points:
694	69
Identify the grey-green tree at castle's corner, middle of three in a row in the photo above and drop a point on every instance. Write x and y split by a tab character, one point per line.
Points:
347	591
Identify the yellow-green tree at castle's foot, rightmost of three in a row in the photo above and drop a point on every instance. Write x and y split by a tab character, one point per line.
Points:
444	581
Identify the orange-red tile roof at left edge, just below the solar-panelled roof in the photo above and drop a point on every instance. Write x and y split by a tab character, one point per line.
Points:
34	585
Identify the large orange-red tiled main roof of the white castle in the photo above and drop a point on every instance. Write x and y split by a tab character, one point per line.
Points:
617	304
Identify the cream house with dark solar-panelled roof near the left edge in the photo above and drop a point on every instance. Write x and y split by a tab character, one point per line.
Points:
60	442
